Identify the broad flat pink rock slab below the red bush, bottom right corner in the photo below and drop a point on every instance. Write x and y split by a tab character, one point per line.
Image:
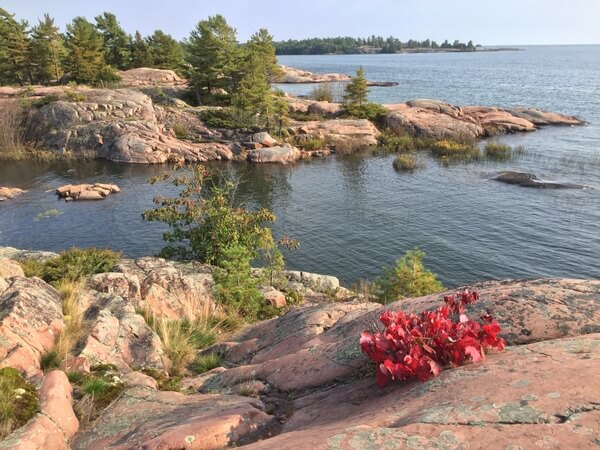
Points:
544	394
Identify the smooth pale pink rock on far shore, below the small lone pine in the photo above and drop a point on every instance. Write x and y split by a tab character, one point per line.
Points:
341	134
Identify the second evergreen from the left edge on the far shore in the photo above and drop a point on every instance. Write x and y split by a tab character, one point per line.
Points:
47	51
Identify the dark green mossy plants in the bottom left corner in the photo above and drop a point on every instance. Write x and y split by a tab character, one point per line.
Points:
18	401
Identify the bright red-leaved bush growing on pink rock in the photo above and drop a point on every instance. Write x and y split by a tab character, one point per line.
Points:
422	345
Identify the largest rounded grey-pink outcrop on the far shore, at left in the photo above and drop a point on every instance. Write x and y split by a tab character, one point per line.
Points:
119	125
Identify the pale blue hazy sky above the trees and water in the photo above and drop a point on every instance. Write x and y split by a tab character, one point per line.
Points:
486	22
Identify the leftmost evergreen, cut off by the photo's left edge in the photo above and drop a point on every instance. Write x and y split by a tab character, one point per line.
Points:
14	50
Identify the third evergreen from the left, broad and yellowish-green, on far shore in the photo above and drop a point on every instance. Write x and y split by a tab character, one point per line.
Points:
85	59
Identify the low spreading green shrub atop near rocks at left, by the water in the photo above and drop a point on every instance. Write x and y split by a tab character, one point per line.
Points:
78	263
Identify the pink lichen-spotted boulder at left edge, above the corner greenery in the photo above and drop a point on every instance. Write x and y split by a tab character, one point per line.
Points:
30	320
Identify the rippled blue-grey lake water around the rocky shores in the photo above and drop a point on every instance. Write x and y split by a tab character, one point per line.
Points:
354	215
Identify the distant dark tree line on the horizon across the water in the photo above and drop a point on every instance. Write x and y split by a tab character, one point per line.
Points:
372	44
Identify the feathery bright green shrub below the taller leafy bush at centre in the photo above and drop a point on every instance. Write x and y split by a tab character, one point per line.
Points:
236	289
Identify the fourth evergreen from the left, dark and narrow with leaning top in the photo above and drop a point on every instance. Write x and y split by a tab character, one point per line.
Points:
117	43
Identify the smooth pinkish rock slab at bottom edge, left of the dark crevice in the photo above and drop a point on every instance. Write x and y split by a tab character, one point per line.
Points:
145	418
